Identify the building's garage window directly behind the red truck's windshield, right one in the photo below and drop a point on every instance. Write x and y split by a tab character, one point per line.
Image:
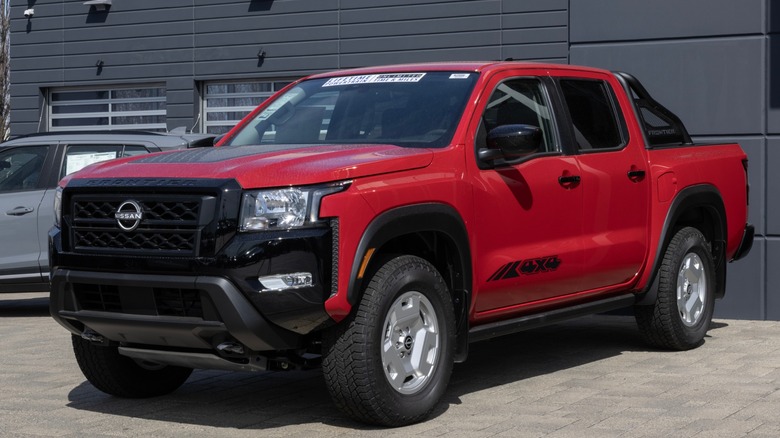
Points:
226	103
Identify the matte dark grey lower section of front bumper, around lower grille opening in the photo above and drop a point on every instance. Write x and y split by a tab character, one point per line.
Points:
226	314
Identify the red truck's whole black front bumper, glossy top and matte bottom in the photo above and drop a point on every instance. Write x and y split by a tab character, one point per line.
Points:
198	303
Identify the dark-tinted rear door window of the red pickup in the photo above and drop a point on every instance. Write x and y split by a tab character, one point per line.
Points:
592	114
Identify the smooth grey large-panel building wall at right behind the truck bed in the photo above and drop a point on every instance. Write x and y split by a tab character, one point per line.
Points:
709	61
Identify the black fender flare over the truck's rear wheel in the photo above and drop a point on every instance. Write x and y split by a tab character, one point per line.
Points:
700	206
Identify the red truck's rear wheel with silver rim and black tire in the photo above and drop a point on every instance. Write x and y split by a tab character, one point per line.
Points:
681	315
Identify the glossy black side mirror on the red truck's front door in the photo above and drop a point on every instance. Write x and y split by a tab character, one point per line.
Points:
510	142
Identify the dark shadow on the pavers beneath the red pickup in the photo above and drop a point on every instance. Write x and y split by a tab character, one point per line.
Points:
276	399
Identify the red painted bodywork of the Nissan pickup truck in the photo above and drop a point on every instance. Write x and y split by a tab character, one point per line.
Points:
604	231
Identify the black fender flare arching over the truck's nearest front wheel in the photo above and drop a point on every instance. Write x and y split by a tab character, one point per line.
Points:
412	219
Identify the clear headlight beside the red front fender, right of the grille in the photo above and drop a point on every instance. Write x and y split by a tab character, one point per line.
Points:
283	208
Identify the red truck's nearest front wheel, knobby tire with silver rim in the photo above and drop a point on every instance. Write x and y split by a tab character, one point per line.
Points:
389	363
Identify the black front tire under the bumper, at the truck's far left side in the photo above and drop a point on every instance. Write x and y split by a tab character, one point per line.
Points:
121	376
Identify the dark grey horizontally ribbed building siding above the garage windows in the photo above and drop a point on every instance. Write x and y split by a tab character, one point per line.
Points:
182	42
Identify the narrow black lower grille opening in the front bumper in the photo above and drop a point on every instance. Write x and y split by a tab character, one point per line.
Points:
156	301
